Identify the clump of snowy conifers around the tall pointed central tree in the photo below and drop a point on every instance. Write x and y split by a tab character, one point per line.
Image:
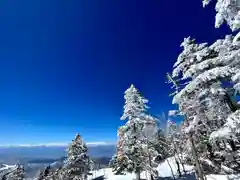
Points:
141	145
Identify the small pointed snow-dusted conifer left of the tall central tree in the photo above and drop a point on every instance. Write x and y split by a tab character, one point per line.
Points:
78	161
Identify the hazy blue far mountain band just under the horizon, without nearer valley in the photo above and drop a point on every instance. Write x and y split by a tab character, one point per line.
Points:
24	154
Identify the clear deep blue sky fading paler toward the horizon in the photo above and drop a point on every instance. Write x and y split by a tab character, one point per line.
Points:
65	64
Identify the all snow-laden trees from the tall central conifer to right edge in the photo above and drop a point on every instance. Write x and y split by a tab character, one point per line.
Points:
206	81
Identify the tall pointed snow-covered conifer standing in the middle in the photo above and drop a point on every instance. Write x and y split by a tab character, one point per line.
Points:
136	134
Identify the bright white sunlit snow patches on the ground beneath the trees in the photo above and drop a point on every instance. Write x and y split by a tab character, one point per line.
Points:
164	173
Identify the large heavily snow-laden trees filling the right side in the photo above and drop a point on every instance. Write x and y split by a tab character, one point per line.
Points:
206	81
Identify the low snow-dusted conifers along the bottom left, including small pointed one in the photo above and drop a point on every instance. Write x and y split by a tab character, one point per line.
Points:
76	167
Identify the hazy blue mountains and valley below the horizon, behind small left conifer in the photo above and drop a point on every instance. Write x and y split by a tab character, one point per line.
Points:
36	158
